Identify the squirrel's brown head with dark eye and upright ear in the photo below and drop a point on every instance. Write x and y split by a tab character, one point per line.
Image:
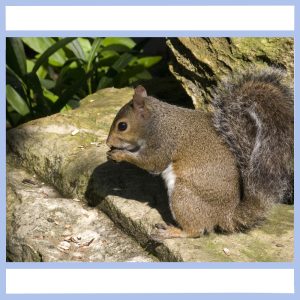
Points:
130	123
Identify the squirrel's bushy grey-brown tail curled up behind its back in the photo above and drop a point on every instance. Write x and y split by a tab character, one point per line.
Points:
254	114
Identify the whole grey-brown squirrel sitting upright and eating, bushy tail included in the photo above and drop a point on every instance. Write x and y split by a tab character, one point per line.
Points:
223	170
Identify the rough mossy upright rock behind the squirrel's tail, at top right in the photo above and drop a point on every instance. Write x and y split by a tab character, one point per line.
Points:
200	63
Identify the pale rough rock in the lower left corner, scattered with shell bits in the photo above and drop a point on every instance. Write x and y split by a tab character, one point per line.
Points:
37	218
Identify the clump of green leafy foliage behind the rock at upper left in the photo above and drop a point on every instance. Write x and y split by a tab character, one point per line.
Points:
47	75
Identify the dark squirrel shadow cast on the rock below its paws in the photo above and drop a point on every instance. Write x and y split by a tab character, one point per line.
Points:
129	182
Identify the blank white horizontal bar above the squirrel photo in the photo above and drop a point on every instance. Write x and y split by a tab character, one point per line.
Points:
152	18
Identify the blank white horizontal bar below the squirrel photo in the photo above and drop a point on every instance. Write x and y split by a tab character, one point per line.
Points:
22	281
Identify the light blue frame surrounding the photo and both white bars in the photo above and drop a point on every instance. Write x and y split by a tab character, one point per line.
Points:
5	265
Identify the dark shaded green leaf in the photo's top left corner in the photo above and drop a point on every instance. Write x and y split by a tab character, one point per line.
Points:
15	56
